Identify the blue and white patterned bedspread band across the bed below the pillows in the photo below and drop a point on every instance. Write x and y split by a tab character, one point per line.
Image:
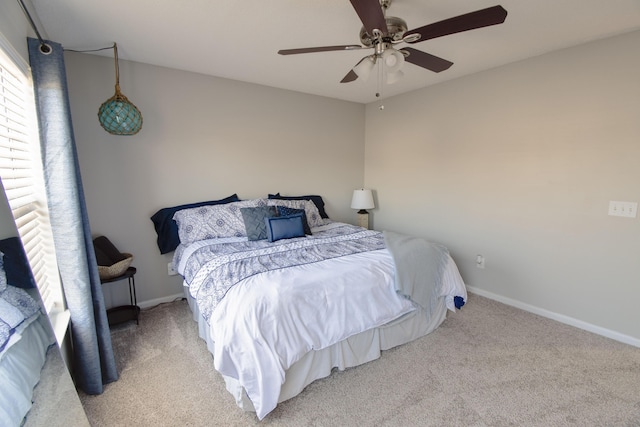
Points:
212	269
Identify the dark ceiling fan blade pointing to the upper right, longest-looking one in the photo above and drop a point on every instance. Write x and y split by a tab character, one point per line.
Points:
470	21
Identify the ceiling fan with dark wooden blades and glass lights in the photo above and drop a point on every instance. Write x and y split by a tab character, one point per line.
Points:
382	33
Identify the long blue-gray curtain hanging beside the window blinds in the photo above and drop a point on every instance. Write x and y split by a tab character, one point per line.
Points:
93	359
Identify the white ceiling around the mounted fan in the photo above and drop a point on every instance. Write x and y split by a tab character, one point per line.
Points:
239	39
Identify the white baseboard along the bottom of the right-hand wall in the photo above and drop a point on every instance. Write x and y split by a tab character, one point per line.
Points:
558	317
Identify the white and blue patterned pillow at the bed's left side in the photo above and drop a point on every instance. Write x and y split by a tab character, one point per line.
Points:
213	221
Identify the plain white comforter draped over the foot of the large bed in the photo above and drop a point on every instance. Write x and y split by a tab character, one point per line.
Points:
268	321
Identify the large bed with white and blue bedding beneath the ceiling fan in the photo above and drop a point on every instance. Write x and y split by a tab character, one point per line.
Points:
282	295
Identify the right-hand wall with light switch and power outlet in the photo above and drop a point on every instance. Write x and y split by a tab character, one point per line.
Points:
519	164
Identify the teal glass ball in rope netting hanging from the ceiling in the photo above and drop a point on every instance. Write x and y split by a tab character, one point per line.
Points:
118	115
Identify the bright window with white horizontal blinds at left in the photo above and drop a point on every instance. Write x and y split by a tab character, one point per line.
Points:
22	177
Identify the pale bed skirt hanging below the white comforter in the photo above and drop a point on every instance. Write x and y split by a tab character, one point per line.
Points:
353	351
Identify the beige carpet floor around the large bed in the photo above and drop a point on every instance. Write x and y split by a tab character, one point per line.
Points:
487	365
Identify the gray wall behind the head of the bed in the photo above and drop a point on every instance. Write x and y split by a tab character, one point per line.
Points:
203	138
